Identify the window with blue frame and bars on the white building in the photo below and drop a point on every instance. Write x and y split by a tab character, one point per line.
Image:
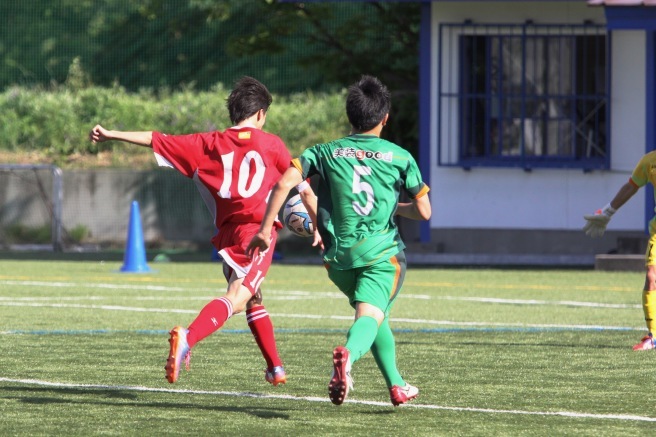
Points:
524	96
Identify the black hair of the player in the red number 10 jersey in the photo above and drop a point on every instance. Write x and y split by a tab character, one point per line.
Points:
247	97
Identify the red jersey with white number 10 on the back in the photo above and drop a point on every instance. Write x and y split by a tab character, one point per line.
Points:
234	170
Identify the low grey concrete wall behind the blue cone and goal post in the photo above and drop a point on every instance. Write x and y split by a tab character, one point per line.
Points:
100	200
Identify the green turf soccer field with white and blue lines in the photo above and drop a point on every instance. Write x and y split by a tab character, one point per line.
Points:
493	352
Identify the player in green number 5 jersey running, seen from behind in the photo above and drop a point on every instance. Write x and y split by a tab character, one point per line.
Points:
360	178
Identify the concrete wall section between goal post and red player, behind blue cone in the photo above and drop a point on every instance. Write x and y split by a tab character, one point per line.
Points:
171	208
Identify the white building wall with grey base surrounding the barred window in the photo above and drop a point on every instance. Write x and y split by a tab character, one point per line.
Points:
482	202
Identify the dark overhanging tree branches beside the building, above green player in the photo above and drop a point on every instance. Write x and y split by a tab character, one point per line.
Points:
343	40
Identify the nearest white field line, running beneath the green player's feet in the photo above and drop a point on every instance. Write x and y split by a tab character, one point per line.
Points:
570	414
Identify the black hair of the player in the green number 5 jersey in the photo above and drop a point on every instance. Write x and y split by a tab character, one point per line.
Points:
367	103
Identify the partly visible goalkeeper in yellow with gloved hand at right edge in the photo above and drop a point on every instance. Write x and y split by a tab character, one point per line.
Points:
644	173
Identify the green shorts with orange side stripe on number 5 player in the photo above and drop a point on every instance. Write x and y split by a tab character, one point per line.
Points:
378	284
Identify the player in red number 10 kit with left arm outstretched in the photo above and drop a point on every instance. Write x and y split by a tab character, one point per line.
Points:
234	171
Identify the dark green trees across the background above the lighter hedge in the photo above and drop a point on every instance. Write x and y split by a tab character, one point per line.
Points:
169	44
